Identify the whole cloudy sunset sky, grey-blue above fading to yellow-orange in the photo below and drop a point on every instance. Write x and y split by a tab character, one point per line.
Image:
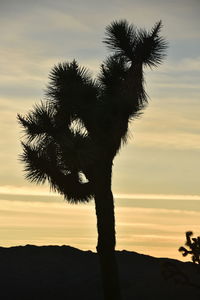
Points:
156	175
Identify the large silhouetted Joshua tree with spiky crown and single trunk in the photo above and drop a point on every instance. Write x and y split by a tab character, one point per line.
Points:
73	135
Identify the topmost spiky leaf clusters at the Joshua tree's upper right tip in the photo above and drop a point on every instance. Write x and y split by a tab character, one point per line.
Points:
138	46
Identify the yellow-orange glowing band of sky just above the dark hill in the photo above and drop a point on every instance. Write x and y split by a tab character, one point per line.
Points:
153	231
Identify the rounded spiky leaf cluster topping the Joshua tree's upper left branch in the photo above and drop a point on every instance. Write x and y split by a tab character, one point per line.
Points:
71	87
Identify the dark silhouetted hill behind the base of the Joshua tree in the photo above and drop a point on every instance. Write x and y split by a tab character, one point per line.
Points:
62	272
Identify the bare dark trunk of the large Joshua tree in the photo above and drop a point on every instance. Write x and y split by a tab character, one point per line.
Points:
106	232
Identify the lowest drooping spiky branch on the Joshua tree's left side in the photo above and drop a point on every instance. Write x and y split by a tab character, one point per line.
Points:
43	164
